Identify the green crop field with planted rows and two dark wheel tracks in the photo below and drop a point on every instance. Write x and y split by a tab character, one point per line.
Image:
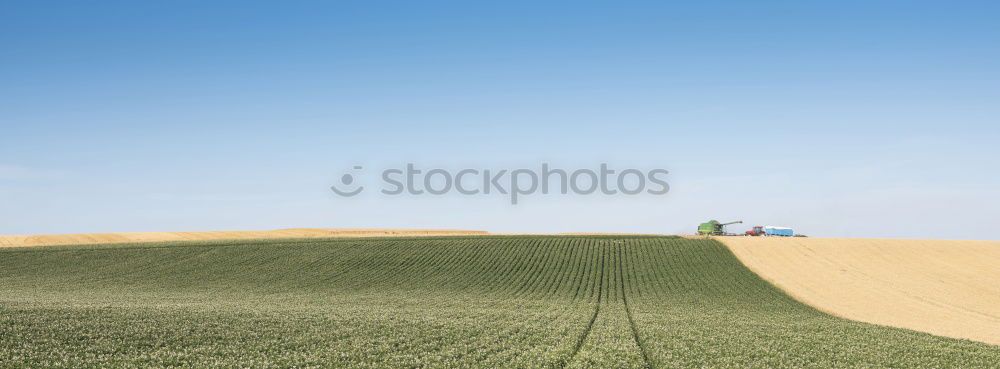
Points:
456	302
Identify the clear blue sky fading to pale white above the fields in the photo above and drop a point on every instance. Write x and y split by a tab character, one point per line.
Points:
847	118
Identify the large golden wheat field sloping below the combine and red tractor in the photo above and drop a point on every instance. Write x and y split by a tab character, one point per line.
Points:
947	288
